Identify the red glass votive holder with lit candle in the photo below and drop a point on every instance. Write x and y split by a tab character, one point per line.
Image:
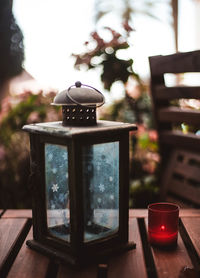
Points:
163	224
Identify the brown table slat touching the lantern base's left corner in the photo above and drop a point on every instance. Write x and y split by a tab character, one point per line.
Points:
29	263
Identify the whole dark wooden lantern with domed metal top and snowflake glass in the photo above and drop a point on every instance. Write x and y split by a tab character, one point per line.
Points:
80	181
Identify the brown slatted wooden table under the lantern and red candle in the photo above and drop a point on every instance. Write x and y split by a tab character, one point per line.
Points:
18	261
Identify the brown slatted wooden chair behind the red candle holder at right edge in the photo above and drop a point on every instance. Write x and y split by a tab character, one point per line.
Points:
180	151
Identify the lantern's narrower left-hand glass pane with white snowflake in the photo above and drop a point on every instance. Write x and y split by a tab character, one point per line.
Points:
57	191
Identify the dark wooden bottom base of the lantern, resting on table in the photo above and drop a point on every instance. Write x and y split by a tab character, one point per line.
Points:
80	261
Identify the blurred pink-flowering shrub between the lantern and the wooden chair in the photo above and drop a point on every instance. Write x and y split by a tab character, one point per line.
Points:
134	107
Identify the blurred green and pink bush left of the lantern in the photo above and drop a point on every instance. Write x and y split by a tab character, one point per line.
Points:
16	111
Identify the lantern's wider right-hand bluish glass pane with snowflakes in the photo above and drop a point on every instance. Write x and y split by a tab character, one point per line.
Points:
101	190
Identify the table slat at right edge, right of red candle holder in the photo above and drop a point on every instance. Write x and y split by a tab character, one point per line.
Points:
192	226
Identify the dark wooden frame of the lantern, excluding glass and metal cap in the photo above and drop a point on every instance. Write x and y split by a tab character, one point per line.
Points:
77	252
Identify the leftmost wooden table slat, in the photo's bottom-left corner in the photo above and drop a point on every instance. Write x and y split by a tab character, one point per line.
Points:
10	234
